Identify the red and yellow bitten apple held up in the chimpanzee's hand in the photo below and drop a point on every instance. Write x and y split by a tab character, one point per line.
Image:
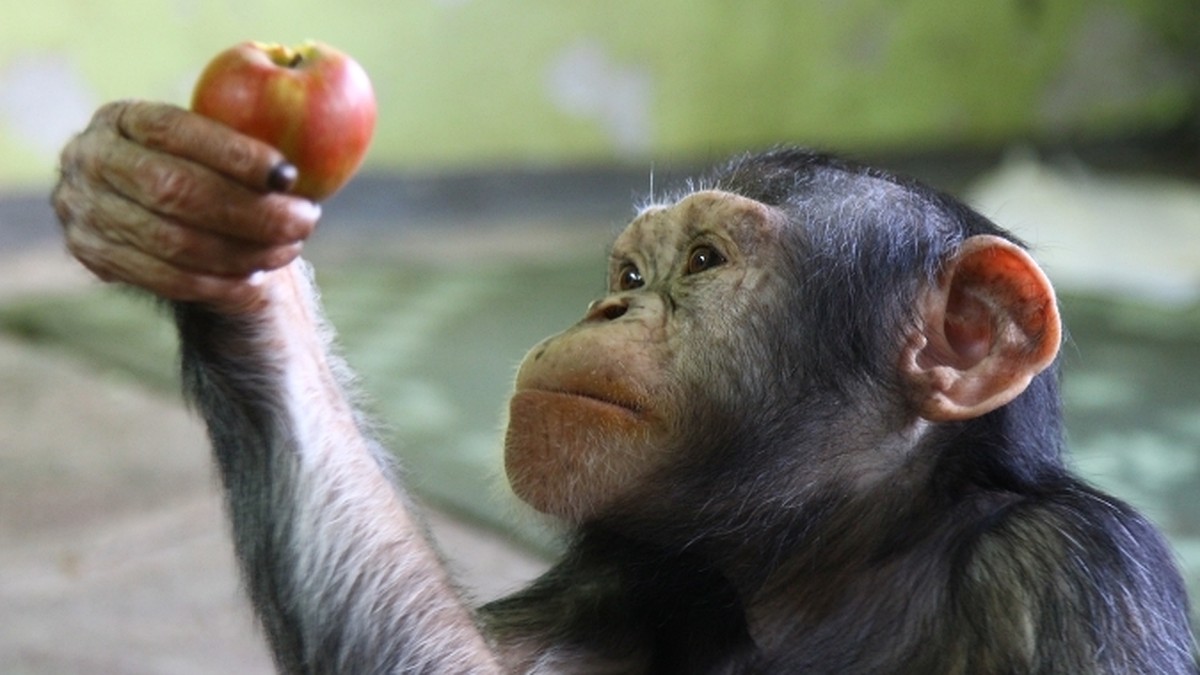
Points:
313	103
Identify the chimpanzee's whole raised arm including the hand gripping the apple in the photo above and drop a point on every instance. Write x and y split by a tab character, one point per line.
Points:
339	569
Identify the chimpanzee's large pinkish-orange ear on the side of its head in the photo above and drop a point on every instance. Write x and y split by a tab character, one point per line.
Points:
985	331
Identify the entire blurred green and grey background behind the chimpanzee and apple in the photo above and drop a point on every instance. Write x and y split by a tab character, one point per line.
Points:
514	140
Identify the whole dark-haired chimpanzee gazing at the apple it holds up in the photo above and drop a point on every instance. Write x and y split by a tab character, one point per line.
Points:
813	427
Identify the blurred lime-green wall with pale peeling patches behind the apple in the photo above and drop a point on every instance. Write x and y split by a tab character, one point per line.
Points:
470	82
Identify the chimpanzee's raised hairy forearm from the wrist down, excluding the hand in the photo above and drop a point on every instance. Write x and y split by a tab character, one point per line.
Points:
337	564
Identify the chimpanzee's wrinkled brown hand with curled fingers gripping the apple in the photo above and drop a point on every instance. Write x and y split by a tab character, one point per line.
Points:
161	199
